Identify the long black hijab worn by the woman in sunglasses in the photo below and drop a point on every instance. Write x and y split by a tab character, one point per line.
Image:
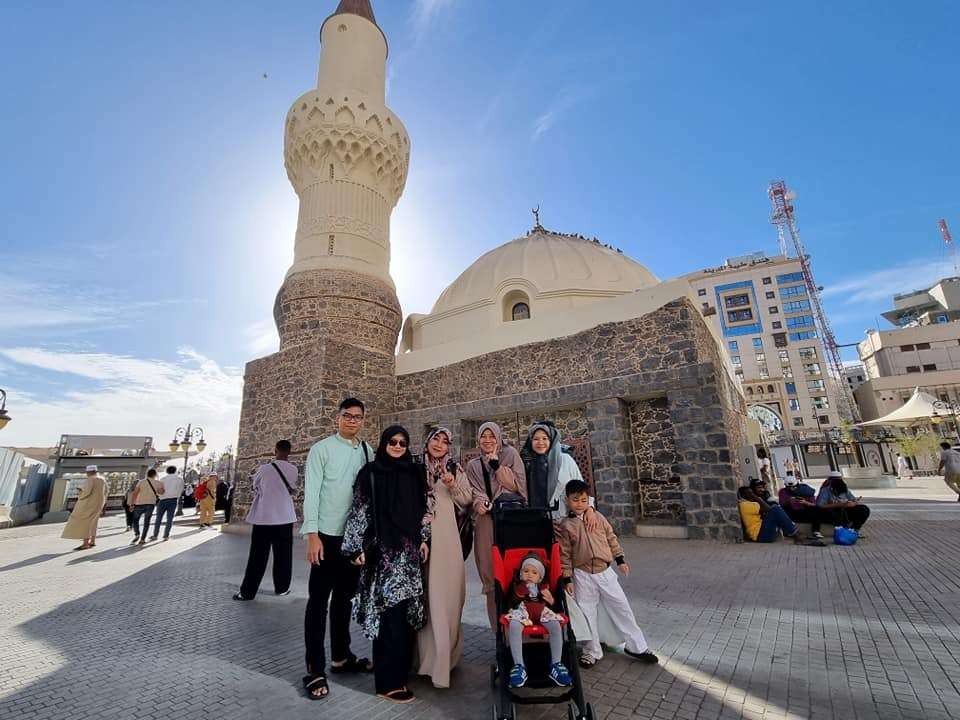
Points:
400	492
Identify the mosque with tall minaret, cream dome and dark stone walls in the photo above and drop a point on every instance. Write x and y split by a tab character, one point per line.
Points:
548	325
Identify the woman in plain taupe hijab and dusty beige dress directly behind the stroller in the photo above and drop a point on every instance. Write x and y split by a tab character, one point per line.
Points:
498	470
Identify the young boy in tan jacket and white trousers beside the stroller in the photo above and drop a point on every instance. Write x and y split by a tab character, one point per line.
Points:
586	557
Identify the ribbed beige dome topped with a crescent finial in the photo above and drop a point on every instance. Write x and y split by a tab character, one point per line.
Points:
554	264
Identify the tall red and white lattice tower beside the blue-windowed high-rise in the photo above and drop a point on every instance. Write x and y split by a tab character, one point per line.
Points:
781	199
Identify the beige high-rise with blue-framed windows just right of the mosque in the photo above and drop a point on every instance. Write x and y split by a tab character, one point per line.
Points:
761	308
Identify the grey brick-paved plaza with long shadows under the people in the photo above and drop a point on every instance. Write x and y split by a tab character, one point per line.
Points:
753	631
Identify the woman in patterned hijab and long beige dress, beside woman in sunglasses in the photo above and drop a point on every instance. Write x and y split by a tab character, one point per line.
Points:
440	641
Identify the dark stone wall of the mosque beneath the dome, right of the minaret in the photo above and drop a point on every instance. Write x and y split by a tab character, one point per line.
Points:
589	381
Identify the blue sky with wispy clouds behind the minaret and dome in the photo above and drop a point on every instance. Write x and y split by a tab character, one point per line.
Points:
148	221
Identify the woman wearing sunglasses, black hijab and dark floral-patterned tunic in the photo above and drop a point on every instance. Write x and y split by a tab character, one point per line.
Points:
388	535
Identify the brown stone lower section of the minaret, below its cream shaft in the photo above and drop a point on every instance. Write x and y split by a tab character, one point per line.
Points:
326	354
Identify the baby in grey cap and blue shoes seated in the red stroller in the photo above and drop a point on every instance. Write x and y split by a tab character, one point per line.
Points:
531	602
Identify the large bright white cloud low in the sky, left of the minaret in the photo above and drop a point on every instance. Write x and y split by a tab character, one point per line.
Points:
130	396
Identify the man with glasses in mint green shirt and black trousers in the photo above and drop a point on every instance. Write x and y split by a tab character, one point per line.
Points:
332	467
